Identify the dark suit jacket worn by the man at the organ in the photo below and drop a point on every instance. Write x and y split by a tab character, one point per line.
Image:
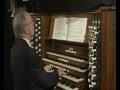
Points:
27	69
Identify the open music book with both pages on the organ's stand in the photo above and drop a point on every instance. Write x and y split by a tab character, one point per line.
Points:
70	29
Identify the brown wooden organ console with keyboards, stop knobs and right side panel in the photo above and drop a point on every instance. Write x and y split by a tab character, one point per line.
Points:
90	64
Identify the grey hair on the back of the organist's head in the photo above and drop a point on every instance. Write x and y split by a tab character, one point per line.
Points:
19	22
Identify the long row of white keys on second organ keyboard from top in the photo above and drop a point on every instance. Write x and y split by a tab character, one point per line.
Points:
64	65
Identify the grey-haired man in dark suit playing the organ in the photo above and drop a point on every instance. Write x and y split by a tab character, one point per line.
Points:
27	68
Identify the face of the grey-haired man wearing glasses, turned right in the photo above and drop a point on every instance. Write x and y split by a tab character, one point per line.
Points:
29	25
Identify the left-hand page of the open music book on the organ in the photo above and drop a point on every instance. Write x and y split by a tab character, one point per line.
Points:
60	28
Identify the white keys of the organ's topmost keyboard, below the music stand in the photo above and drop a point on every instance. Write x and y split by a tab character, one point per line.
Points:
67	57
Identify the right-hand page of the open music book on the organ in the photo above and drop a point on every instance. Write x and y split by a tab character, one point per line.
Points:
76	29
